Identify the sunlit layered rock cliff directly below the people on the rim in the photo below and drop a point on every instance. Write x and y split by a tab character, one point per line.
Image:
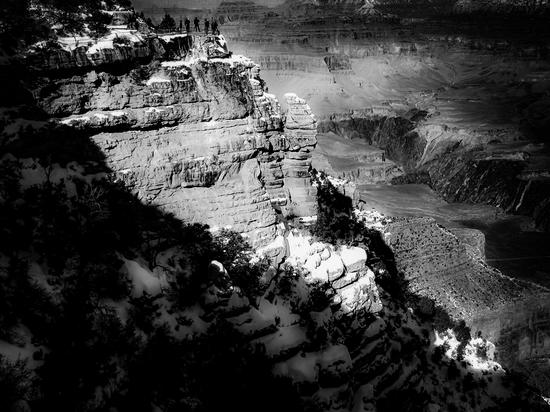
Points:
199	136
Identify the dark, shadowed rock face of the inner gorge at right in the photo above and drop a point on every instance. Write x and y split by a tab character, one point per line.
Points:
485	173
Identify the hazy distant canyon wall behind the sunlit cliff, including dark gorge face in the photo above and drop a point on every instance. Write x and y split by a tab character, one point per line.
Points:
479	91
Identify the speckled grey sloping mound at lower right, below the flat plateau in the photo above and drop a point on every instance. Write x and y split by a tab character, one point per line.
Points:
441	267
